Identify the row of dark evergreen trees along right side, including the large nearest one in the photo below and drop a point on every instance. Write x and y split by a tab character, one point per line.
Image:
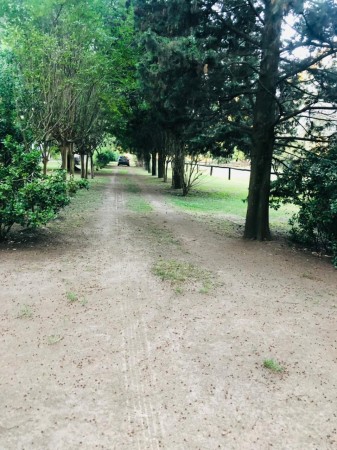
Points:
257	75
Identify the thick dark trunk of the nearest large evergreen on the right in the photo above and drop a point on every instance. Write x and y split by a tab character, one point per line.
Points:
263	134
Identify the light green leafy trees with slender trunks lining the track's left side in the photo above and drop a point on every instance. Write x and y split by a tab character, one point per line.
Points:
71	64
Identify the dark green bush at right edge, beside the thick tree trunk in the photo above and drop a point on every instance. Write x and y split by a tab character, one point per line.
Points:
311	184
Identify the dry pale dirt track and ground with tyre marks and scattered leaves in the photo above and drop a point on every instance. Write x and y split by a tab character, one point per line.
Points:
98	352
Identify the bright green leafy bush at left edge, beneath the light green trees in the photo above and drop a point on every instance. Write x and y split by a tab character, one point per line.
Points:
27	197
